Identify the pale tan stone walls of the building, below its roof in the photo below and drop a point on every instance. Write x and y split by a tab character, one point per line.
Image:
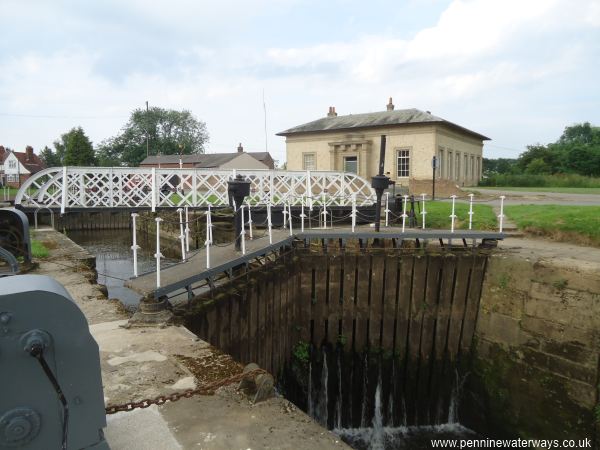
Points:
423	142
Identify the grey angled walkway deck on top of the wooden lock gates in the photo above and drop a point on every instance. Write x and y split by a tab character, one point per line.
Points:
226	257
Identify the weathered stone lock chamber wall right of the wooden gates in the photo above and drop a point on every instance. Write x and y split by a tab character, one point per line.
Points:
538	347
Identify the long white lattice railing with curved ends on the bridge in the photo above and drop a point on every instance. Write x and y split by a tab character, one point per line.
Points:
114	187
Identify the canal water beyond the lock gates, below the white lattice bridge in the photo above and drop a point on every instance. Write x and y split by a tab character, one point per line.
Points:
114	259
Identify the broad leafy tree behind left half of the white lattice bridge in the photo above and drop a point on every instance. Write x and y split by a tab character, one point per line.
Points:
156	131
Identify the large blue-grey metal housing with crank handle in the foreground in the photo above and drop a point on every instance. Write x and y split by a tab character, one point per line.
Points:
51	388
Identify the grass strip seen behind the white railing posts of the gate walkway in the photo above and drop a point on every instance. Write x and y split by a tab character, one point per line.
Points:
438	216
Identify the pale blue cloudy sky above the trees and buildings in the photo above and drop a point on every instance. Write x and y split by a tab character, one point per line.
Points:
518	71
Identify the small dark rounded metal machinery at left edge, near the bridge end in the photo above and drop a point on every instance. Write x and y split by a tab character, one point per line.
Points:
14	237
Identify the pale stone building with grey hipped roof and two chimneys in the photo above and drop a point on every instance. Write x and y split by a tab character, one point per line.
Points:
351	143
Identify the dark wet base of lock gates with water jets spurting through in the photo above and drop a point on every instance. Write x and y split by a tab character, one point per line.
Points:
366	398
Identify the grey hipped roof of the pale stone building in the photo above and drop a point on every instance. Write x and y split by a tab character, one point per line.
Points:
377	119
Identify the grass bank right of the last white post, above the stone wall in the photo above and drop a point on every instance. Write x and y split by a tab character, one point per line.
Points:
575	224
